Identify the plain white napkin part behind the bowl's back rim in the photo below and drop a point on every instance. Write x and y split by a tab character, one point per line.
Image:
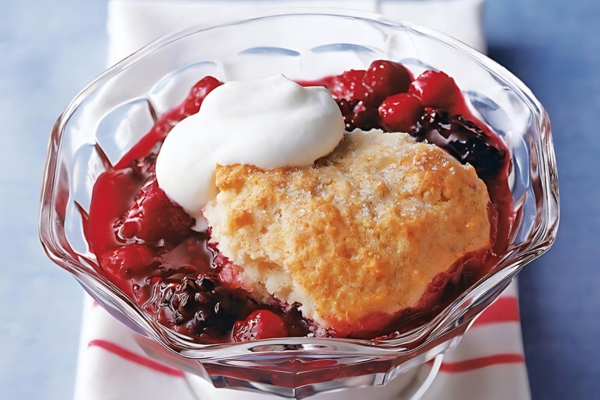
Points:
132	24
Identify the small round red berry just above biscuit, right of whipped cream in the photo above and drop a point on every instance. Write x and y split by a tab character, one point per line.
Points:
400	112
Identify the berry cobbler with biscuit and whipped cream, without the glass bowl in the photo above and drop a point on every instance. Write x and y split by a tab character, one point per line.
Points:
358	205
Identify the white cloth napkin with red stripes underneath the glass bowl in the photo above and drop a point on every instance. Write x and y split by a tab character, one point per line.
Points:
487	364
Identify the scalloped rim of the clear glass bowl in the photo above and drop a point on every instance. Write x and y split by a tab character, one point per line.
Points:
524	253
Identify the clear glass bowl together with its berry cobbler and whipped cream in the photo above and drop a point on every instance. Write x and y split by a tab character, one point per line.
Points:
371	253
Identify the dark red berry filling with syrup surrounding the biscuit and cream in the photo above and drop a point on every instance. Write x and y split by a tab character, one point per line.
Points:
145	245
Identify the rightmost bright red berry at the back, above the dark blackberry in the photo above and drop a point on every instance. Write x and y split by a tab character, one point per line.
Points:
436	89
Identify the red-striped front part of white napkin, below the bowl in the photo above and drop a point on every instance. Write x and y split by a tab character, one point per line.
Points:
488	363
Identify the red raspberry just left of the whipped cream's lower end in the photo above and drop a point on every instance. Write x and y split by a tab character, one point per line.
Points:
154	216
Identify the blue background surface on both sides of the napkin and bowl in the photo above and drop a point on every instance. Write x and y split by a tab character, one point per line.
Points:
50	50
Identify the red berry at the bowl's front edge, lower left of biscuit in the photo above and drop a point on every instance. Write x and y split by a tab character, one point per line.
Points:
261	324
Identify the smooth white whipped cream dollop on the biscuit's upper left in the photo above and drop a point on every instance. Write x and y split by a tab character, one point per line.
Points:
269	123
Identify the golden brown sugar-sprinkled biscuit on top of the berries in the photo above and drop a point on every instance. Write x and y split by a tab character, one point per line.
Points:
357	237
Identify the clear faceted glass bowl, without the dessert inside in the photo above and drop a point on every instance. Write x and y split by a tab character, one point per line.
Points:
119	107
